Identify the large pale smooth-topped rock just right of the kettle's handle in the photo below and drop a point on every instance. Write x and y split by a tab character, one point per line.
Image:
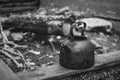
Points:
97	24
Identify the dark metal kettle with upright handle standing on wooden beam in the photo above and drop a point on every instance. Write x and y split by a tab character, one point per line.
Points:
77	52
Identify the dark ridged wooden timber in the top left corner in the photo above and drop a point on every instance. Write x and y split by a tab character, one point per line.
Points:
18	5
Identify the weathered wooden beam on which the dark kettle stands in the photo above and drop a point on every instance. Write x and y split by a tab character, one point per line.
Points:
56	71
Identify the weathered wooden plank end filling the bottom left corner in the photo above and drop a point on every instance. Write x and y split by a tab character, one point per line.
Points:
6	73
